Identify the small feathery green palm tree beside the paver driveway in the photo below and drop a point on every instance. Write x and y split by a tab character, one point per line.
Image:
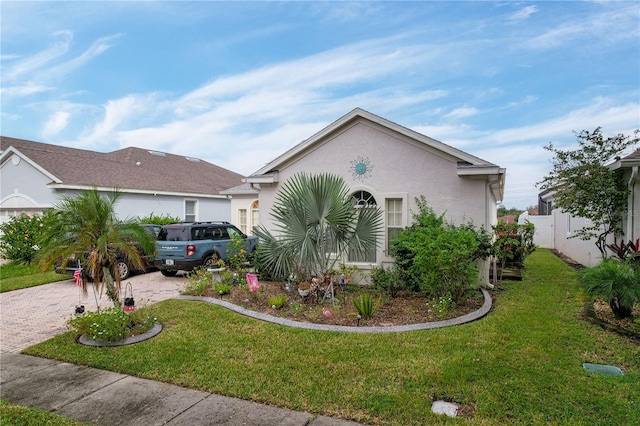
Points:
85	226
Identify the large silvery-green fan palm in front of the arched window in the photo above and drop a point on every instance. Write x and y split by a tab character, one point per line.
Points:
316	223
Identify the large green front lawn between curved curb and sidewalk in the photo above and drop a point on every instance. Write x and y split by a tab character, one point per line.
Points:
520	364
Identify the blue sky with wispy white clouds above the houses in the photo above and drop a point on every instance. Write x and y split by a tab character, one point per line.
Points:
239	83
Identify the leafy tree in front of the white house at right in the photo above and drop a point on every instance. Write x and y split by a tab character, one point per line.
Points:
584	186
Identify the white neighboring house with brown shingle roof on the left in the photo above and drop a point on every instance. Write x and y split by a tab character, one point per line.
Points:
33	175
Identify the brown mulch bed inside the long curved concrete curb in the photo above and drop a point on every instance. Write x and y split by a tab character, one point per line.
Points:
406	308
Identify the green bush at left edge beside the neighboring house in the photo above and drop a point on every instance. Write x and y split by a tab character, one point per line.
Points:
21	236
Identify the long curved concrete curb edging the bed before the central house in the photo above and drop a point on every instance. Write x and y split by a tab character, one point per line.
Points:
473	316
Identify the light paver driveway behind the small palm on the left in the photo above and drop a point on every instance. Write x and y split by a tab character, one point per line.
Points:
38	313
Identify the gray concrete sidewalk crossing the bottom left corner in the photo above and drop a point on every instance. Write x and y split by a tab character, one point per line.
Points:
106	398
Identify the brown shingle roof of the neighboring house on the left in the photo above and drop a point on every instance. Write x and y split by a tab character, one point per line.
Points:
127	169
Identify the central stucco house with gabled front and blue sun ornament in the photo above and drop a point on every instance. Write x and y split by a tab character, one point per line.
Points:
387	165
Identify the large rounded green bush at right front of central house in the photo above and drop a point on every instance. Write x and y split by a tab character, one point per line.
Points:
438	258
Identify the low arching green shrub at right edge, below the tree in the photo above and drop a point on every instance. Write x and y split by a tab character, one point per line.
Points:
617	282
